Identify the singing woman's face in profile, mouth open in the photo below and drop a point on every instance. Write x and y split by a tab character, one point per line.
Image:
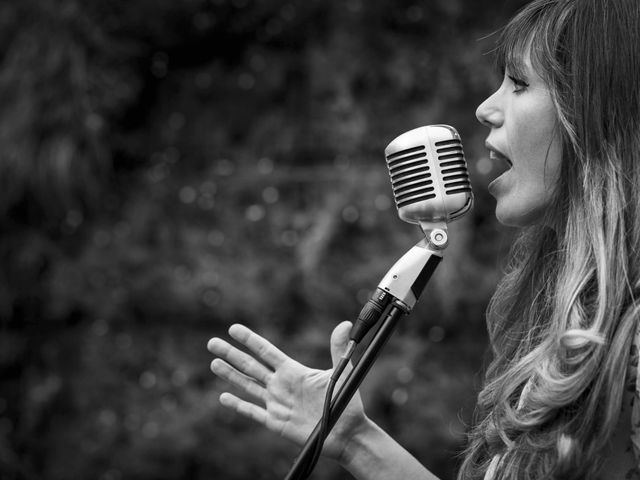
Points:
524	137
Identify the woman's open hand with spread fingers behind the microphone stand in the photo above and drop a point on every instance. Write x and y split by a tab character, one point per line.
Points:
286	396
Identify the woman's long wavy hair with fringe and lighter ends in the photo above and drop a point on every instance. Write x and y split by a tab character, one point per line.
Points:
562	320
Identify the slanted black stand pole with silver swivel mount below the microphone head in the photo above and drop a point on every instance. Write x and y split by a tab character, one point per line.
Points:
405	282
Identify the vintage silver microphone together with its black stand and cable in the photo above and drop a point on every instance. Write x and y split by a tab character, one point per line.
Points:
431	187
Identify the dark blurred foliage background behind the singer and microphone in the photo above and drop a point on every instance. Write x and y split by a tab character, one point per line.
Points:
170	167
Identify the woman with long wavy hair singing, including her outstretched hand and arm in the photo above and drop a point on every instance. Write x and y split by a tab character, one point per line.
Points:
563	321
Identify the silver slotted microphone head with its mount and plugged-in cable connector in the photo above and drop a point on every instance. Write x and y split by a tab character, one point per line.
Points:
431	187
